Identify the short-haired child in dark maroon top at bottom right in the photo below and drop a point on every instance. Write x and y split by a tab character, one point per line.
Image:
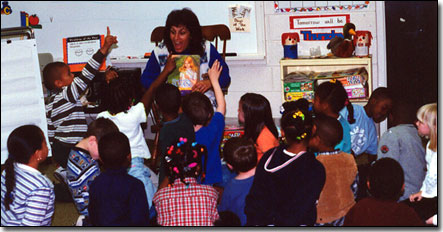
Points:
385	183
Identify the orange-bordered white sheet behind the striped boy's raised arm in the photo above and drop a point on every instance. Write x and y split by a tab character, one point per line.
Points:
77	51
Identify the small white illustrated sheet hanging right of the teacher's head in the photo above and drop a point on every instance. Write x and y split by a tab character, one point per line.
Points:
239	18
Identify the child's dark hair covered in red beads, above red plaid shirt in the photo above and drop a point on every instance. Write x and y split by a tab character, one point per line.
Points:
184	159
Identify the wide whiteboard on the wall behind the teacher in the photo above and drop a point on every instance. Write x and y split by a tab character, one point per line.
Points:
131	21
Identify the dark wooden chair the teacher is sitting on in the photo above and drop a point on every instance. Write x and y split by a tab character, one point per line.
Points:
210	33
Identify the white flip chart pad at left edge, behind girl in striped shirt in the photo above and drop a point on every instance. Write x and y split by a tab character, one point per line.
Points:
22	100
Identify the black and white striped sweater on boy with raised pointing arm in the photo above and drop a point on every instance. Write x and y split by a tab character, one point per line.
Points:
64	112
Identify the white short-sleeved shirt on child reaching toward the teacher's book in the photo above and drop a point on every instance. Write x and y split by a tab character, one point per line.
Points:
129	124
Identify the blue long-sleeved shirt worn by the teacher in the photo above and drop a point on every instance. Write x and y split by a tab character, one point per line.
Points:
152	69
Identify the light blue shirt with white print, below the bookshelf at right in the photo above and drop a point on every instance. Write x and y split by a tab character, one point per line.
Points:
363	131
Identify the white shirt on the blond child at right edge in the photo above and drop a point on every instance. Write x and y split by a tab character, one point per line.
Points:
429	186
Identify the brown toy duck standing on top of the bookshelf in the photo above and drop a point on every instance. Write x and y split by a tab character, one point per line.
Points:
343	47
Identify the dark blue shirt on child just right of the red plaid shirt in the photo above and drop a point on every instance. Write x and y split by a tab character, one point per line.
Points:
234	195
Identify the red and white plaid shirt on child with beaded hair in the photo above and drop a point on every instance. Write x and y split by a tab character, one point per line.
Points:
181	205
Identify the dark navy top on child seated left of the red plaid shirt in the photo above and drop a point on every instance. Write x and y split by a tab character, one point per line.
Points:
118	199
